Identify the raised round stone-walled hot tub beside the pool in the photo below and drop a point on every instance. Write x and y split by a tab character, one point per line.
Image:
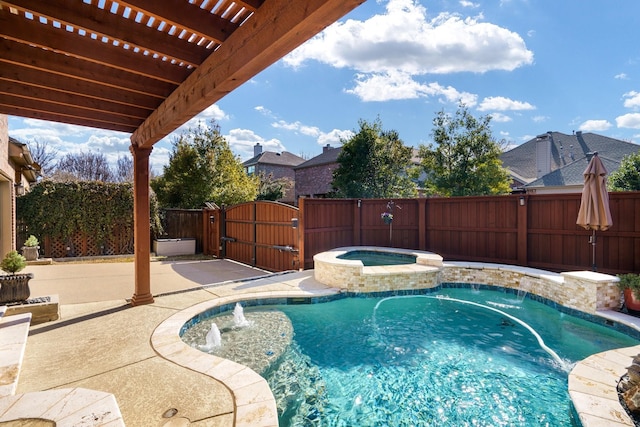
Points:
377	269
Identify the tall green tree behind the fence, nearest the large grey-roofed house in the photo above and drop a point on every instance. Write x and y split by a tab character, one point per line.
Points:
466	160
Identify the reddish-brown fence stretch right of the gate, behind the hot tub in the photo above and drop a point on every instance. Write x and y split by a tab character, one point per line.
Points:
537	231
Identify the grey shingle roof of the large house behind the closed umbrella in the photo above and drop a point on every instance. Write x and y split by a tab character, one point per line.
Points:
565	150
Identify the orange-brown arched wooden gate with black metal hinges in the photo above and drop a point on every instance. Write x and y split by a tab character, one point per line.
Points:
262	234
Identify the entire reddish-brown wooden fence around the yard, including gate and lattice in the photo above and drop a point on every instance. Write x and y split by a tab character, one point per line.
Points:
537	231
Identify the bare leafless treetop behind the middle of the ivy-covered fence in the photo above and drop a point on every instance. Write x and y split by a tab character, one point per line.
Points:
83	167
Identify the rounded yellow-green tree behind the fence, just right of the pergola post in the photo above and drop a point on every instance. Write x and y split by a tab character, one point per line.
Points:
202	169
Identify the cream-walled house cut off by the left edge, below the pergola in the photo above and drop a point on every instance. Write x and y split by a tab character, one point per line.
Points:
17	172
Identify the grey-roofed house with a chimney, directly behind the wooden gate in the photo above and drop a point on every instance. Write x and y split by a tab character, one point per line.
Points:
279	165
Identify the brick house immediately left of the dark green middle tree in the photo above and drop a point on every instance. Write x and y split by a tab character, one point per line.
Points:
314	177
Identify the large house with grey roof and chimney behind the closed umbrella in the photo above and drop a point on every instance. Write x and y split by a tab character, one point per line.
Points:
555	162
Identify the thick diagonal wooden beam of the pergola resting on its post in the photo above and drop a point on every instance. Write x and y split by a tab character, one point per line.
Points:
266	38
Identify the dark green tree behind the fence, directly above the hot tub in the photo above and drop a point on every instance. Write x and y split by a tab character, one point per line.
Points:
373	164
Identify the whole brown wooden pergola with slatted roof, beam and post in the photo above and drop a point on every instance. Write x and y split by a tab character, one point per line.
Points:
143	67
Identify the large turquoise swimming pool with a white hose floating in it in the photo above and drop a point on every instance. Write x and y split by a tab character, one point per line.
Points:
430	360
